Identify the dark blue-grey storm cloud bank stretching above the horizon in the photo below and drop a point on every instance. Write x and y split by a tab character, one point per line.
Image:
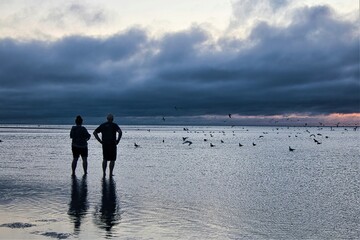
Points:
309	67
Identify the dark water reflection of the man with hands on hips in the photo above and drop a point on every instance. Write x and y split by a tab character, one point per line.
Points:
107	214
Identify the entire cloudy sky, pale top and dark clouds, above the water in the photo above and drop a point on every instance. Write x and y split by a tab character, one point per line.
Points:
188	61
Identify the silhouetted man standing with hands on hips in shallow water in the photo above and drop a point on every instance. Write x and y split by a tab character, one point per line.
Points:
109	142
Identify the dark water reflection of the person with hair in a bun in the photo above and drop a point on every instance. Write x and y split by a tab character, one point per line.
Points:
78	205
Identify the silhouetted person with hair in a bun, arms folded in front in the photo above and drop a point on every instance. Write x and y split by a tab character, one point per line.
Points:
80	136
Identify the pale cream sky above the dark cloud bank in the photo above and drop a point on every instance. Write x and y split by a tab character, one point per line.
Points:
51	19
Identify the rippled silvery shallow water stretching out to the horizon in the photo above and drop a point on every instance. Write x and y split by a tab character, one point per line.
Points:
168	190
